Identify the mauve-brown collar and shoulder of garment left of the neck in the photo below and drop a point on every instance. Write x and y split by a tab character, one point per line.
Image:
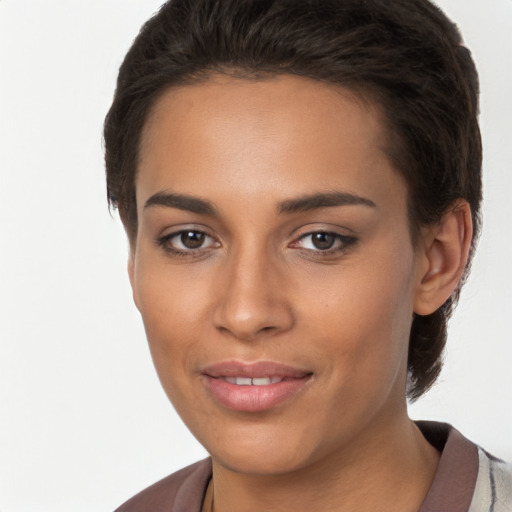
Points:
185	488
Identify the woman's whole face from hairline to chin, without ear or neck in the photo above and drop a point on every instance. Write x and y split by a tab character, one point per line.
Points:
274	269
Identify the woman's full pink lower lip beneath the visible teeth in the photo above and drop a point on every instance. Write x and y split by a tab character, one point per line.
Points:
254	398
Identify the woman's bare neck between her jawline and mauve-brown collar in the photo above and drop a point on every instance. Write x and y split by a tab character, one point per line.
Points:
391	470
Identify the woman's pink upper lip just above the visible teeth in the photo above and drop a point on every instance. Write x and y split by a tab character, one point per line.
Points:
253	370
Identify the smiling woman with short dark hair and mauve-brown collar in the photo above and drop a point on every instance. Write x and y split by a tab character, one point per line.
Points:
300	182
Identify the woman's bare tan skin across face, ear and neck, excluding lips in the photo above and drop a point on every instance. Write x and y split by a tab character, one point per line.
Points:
258	289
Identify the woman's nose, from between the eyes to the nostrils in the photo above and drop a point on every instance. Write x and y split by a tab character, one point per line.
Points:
253	298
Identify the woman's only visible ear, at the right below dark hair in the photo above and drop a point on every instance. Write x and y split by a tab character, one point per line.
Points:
443	256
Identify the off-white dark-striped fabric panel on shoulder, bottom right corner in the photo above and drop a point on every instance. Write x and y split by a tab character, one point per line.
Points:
493	489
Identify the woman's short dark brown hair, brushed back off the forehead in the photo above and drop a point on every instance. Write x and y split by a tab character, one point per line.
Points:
405	55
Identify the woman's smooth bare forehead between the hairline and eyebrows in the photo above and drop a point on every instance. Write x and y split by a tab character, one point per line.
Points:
294	132
